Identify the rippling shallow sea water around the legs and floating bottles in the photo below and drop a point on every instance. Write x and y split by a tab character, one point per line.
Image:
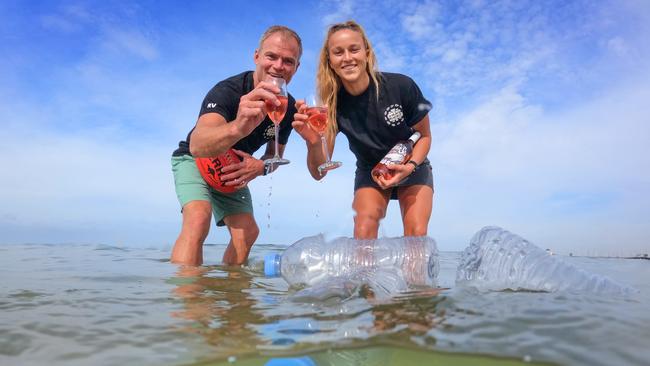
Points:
75	304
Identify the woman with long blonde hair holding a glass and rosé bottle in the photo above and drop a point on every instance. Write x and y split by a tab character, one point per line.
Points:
374	111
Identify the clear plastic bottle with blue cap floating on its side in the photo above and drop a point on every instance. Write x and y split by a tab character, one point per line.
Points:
313	260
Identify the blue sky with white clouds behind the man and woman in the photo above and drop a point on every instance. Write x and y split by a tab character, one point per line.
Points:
539	122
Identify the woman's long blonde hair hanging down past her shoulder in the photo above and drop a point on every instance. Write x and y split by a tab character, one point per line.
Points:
328	83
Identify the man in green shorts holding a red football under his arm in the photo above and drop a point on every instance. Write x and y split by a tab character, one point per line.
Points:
233	115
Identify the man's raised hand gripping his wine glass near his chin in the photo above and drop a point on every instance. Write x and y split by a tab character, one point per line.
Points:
252	106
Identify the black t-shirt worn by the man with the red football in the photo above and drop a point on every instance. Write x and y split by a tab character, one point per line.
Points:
223	98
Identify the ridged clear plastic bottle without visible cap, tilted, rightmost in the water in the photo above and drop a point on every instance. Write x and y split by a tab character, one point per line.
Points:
499	260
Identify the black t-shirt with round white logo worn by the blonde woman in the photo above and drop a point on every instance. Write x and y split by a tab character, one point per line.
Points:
374	126
